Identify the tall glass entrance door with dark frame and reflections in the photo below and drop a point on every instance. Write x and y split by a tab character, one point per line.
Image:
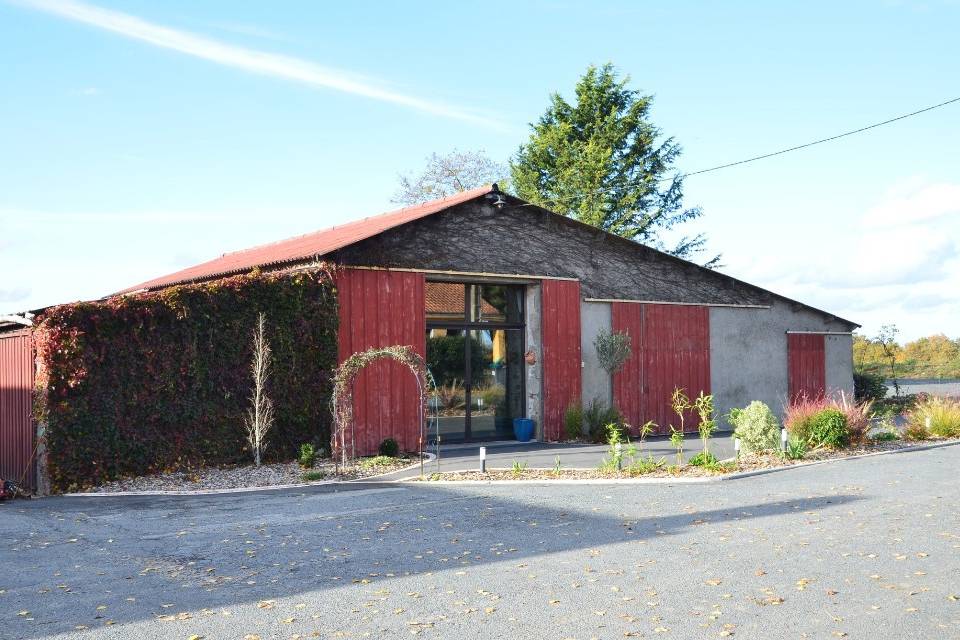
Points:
475	344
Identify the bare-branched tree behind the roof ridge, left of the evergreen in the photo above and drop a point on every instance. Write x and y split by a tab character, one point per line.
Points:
450	174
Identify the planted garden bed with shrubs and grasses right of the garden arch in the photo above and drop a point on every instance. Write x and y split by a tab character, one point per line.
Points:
814	429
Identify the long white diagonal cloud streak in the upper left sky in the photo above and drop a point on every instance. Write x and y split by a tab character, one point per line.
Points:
252	60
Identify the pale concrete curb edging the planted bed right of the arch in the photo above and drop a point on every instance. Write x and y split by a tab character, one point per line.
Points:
691	480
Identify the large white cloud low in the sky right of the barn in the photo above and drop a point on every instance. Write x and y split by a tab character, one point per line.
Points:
894	264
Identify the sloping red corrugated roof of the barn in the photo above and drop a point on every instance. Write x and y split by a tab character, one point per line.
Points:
307	246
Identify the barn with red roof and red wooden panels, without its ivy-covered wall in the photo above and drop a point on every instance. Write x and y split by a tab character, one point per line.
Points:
505	299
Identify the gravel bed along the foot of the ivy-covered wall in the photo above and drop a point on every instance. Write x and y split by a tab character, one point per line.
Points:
239	477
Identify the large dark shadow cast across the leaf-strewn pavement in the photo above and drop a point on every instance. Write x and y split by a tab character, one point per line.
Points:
61	558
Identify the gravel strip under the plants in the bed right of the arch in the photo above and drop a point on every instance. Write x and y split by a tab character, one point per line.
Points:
749	462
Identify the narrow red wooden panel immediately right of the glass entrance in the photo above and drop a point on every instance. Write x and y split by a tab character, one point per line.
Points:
560	338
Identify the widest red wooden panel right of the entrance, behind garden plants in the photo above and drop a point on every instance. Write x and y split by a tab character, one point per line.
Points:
671	348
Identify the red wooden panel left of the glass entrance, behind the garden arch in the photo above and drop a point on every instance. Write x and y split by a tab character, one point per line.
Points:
381	309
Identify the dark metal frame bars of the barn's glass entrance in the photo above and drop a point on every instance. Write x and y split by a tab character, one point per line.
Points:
468	327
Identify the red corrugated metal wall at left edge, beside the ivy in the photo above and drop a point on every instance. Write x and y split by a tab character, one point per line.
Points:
16	421
